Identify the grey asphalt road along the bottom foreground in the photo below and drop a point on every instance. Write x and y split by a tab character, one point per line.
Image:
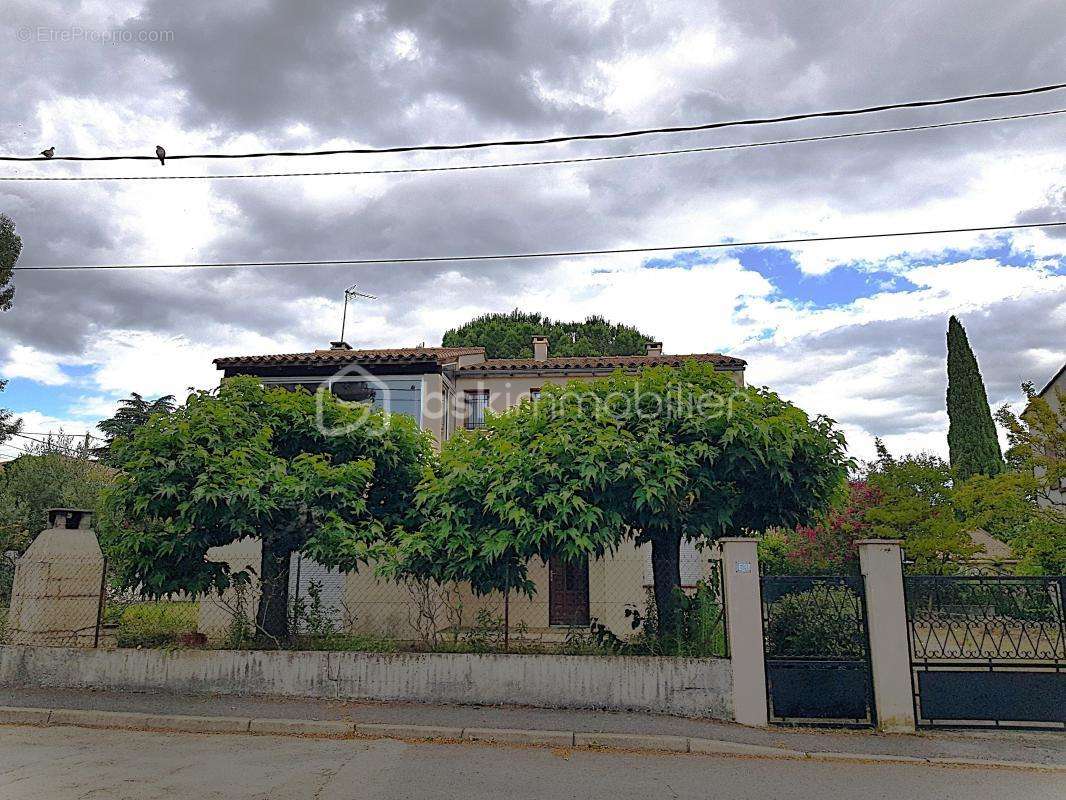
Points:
61	763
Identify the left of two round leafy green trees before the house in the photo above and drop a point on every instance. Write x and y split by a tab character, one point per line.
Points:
249	461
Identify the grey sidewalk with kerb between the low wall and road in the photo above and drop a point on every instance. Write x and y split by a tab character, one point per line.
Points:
1035	748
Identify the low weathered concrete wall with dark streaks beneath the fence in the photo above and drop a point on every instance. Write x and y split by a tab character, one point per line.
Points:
682	686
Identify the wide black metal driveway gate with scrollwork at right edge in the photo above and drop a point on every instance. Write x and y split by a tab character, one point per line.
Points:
988	651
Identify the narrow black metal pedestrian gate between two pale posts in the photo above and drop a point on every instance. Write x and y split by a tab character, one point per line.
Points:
817	649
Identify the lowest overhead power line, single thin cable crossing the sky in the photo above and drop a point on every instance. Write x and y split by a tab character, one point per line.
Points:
546	254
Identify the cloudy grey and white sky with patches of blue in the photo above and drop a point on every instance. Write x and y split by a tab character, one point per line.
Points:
851	330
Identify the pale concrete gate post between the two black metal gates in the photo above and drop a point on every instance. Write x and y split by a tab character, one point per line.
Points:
882	565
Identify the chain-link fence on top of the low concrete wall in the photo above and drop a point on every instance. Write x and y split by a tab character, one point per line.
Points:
603	605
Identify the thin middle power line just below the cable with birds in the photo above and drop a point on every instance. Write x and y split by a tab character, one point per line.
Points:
547	163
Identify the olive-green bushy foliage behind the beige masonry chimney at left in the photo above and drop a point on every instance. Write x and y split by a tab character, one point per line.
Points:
57	473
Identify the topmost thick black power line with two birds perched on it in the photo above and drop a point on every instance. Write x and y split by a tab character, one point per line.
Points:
572	138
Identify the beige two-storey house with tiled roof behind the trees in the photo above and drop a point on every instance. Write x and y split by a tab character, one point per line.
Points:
446	389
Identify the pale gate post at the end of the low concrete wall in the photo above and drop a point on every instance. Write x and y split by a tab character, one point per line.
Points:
740	587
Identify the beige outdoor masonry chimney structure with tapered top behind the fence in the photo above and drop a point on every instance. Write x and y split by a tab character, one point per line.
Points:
56	596
